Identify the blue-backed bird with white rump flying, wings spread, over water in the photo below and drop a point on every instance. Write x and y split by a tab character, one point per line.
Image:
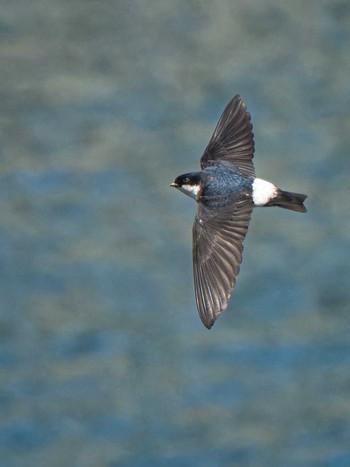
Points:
226	191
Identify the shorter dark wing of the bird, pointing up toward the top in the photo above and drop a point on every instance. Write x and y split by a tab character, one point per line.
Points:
233	139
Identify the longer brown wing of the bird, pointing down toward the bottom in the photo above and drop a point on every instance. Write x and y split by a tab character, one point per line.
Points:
217	254
